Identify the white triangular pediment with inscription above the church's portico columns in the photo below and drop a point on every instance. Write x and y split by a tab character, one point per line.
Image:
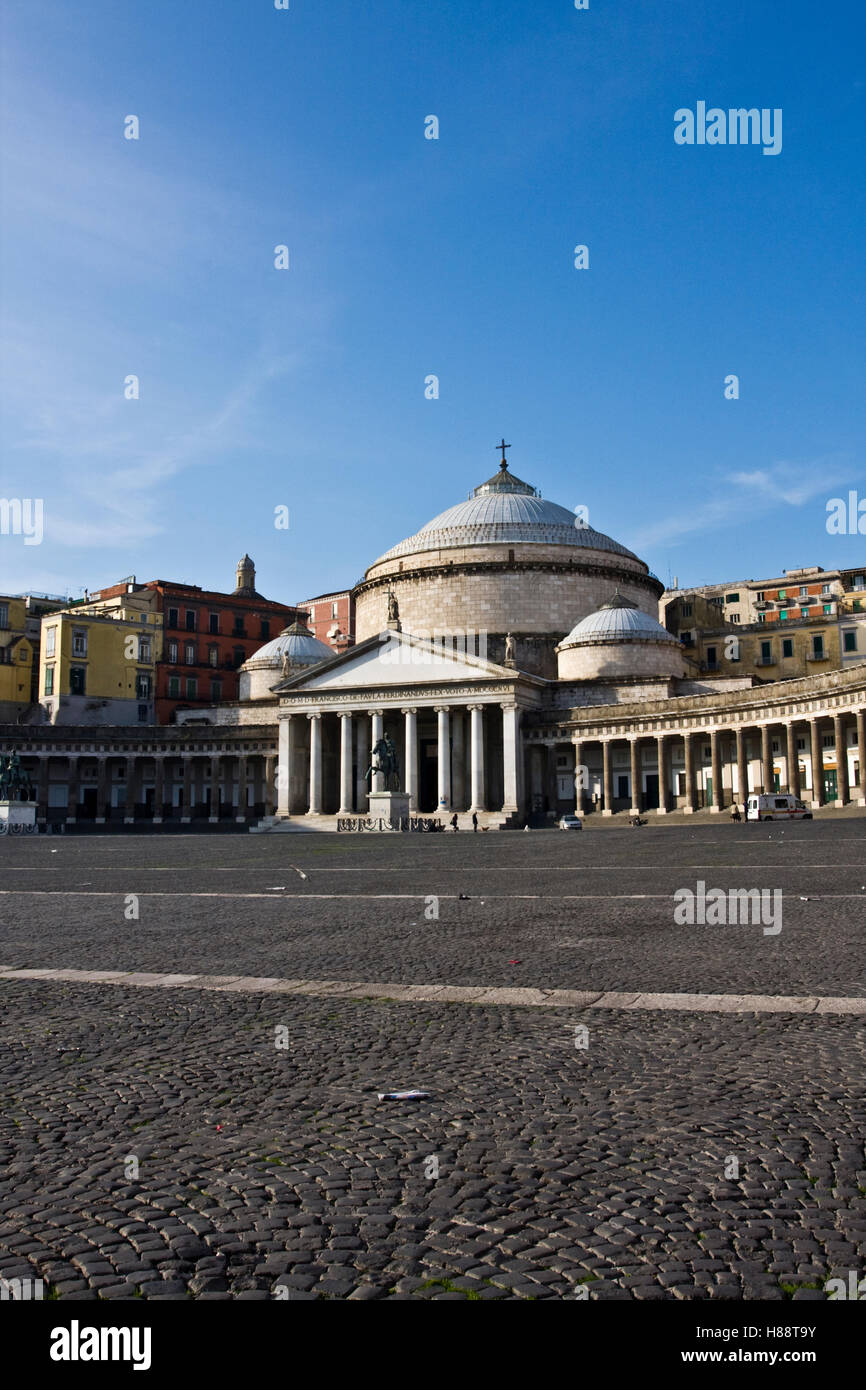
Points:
394	658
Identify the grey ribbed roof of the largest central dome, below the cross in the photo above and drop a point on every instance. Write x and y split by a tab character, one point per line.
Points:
503	511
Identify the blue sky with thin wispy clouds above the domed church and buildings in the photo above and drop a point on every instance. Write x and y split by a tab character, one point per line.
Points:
305	389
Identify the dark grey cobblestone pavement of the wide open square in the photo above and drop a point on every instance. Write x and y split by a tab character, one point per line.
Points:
162	1145
